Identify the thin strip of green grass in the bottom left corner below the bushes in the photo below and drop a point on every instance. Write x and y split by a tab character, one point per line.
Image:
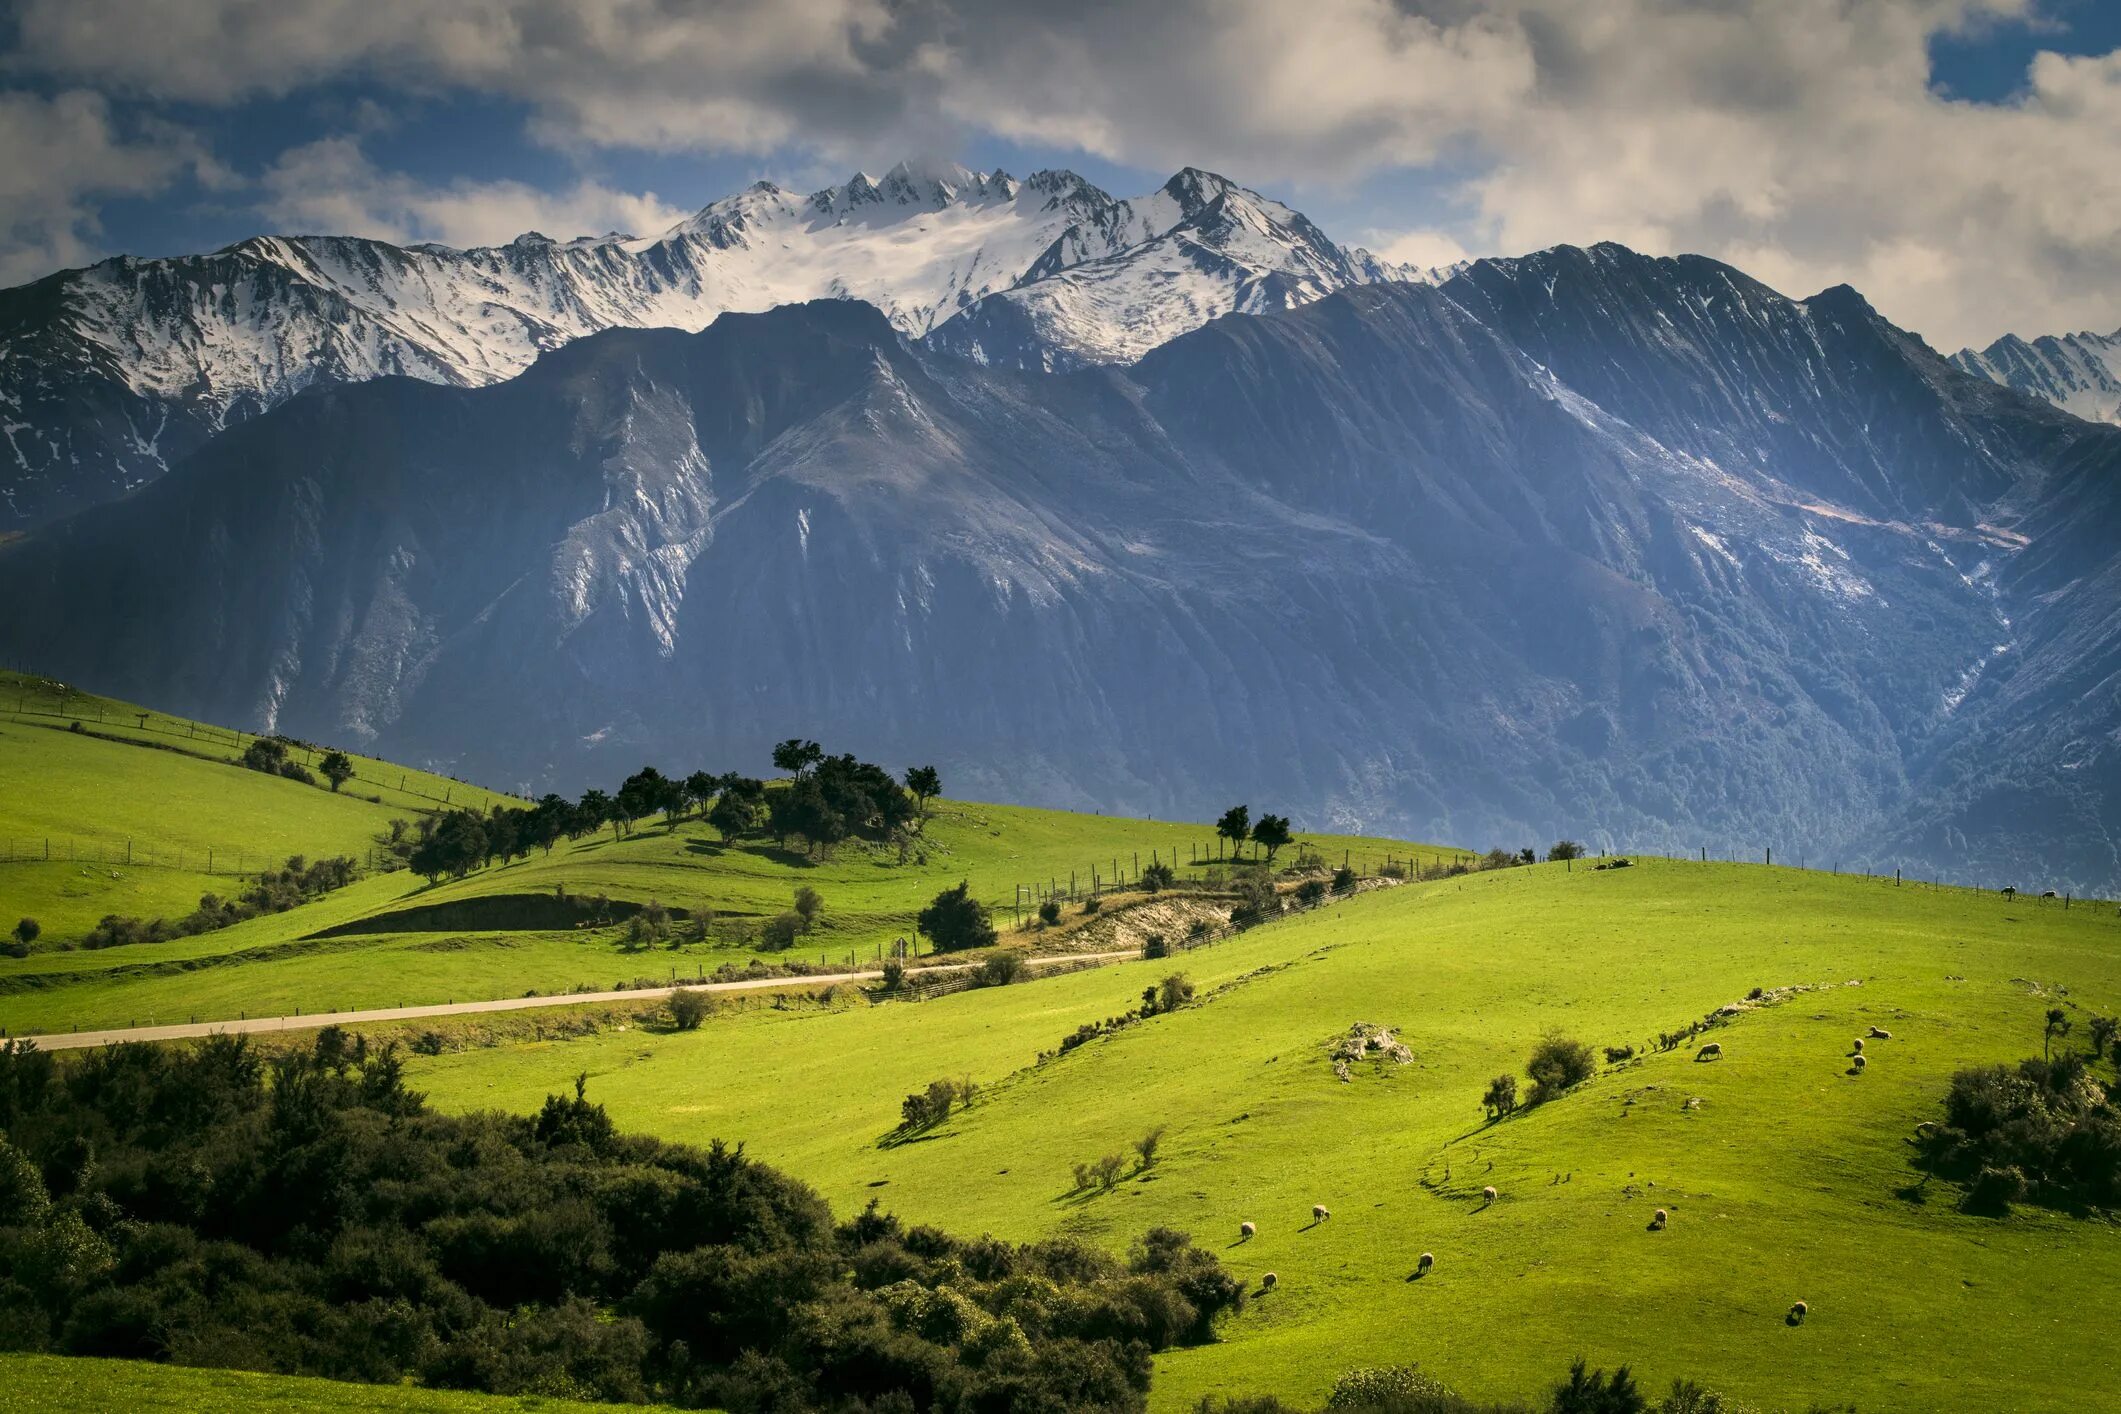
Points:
48	1385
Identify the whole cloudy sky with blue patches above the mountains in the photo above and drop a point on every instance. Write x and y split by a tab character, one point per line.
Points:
1955	160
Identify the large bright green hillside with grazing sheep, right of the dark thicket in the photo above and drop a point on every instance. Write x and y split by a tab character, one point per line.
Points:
1789	1182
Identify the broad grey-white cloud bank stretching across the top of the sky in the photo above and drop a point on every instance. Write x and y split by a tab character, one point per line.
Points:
1800	139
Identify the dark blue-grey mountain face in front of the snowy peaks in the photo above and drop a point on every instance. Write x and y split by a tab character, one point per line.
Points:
1598	546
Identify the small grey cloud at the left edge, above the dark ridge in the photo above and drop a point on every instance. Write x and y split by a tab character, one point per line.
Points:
65	158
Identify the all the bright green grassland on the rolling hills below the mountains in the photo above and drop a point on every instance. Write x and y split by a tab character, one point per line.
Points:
1787	1176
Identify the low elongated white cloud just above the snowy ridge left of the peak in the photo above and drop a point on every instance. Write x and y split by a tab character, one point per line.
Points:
332	188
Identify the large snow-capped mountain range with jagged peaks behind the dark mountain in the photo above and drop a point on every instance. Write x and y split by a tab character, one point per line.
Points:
111	374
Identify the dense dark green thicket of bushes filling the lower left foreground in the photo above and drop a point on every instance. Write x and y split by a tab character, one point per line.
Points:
311	1216
